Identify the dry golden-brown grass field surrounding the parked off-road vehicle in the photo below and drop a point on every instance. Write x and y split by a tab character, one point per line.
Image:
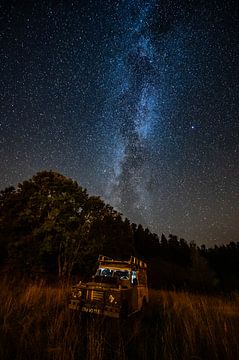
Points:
35	323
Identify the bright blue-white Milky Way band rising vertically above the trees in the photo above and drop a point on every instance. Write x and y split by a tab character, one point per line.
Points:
136	108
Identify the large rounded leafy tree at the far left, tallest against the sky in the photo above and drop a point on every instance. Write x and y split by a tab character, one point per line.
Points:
40	219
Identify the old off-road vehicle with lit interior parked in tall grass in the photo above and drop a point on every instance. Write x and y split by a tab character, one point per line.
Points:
118	289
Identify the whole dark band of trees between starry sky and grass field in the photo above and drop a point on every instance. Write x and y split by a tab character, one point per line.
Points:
50	225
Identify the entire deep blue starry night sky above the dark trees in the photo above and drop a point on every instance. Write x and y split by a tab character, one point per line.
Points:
136	100
